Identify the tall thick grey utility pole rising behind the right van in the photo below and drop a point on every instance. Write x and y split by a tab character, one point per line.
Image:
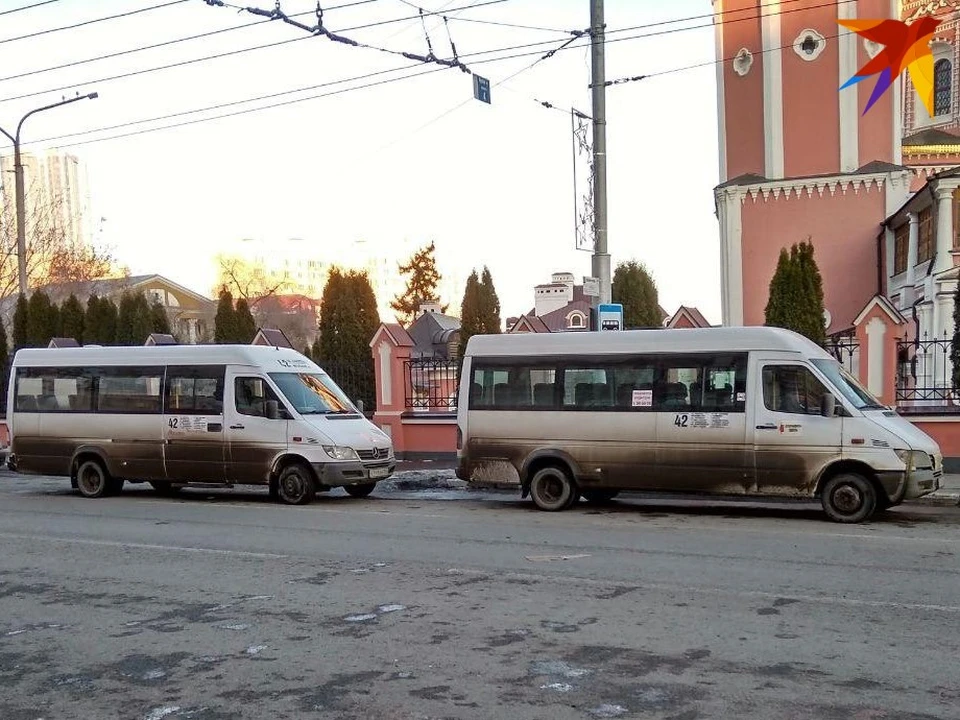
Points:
601	259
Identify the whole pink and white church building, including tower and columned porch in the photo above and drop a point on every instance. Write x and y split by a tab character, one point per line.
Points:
876	193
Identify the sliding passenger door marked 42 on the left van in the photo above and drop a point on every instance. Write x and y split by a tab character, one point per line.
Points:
194	448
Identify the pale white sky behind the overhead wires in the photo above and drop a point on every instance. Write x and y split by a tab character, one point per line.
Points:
490	184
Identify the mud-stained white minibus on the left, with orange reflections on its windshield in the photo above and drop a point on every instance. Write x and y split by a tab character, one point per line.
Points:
177	415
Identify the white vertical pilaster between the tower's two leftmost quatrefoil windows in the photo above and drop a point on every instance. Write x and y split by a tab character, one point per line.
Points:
772	88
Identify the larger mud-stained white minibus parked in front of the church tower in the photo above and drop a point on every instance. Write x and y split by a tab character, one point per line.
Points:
730	411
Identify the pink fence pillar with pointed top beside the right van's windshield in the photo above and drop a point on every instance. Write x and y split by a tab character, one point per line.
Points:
878	327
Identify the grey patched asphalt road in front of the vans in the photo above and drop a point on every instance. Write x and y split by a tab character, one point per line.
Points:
454	605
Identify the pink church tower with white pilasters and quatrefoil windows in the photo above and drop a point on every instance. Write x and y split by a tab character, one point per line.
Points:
799	159
